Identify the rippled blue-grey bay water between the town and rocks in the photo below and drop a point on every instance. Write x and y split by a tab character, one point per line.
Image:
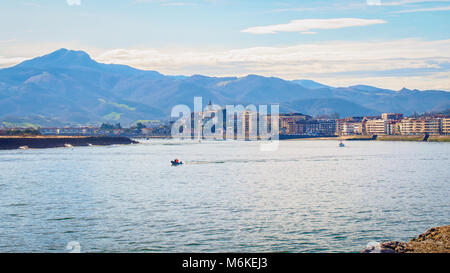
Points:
308	196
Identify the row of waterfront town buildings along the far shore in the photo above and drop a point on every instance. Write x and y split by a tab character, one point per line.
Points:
247	126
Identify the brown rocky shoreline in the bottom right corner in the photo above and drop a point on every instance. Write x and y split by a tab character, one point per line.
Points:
434	240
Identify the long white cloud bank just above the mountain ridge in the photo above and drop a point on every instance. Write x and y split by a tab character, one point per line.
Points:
341	62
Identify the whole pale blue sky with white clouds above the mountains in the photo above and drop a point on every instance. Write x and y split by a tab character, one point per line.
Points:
385	43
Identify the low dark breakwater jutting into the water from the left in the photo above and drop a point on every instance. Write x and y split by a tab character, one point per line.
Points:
8	143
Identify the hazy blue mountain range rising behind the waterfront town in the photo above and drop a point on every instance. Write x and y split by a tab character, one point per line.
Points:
68	87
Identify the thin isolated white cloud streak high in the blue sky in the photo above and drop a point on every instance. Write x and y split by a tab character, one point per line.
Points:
312	24
